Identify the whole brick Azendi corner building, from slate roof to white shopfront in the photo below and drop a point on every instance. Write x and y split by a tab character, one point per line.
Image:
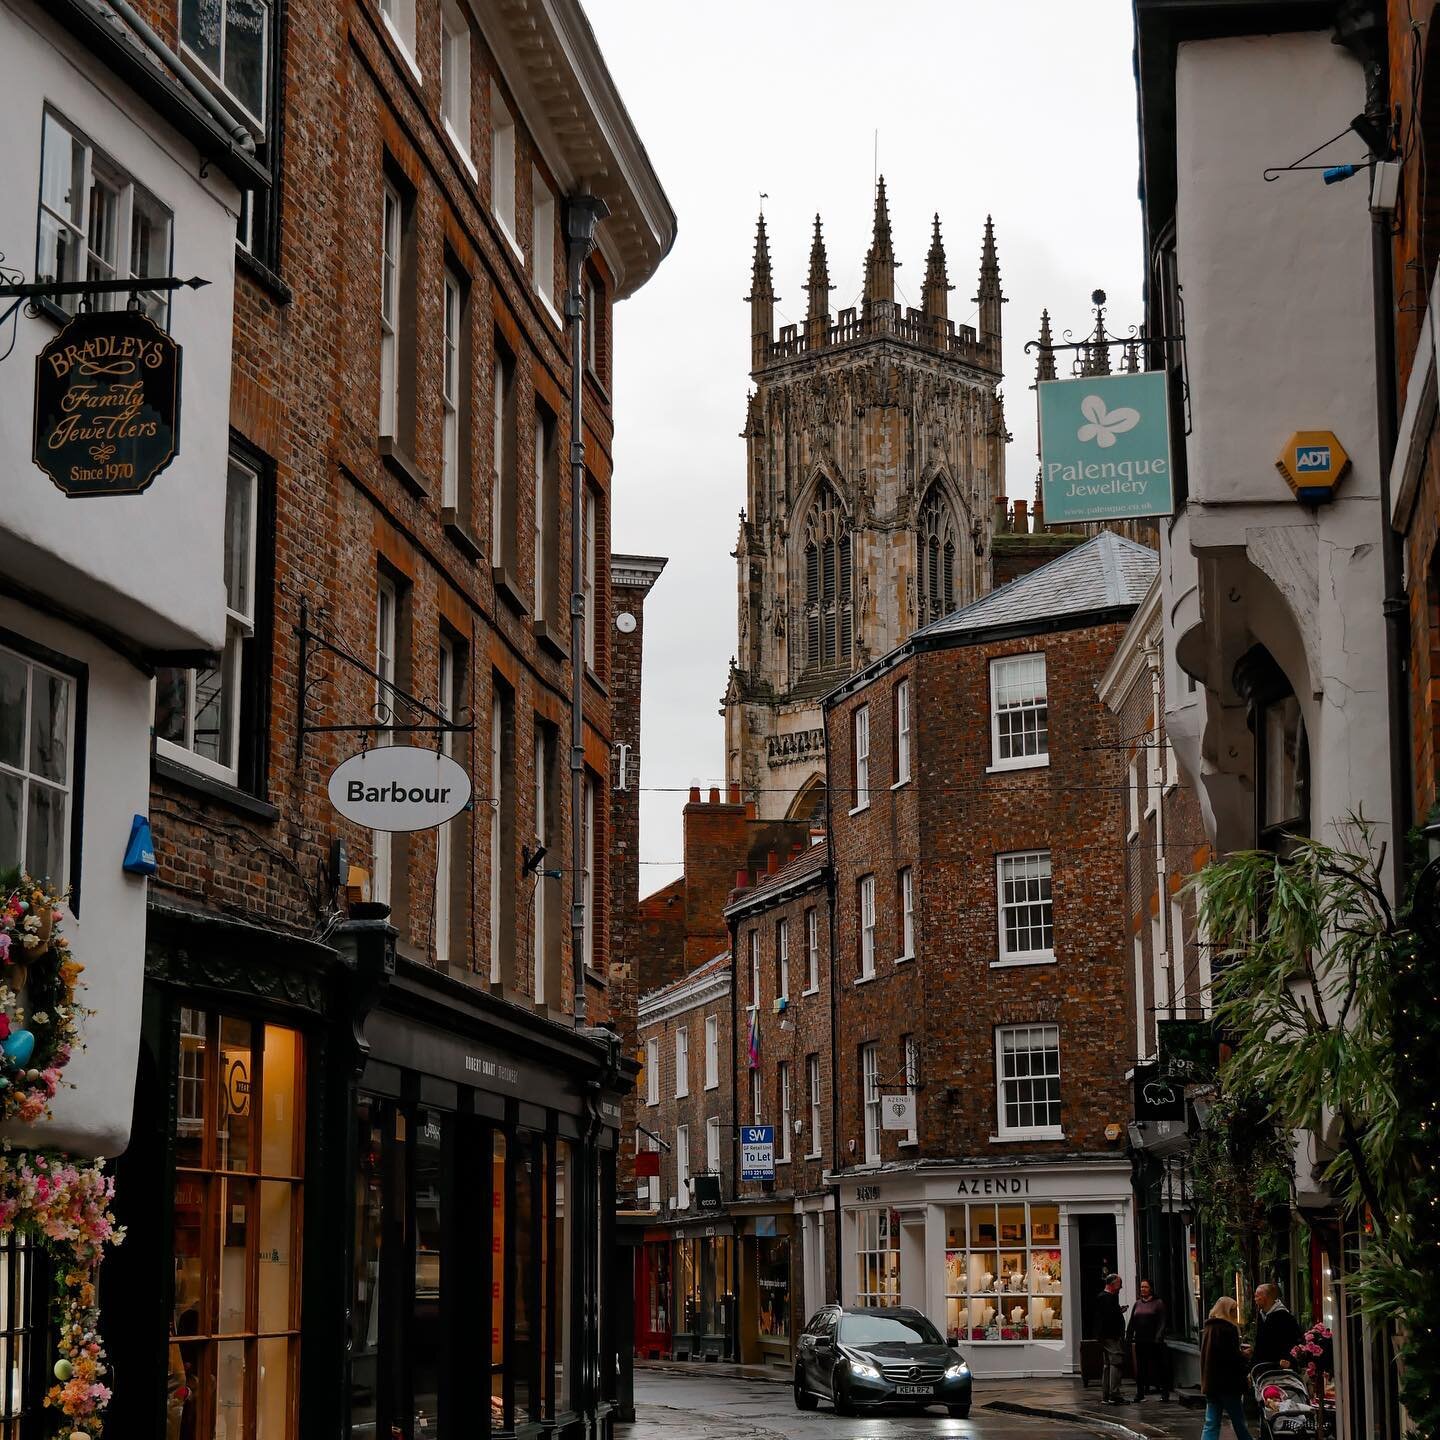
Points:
983	971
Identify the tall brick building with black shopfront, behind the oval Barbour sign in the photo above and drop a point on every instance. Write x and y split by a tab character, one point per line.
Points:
394	1016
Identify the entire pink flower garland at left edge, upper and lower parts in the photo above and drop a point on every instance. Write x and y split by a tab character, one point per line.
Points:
50	1199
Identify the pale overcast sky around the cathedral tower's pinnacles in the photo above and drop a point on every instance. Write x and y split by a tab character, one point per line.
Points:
1025	112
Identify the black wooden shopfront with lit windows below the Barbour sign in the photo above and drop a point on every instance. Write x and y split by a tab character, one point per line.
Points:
451	1205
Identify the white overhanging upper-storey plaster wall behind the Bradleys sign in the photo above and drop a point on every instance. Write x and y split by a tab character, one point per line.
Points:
150	565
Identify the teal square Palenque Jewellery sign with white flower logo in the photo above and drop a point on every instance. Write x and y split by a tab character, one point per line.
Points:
1105	449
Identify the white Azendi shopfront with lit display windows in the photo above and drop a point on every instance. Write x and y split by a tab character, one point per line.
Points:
1006	1261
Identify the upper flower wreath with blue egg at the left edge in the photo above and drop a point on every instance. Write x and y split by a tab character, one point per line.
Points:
38	1010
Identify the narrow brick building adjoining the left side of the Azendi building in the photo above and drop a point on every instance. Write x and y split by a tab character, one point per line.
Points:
783	1059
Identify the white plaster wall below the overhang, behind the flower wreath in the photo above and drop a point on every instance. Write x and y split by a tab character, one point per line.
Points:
93	1112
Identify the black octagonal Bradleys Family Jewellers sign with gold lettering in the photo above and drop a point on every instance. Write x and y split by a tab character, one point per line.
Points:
107	404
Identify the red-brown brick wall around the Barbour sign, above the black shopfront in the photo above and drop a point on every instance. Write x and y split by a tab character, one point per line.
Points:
306	398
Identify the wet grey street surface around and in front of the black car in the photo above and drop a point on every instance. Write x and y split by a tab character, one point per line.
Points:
722	1408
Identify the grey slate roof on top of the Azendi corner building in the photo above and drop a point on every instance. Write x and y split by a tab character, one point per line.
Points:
1099	575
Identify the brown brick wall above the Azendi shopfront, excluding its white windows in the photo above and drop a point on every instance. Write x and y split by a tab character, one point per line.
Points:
951	823
